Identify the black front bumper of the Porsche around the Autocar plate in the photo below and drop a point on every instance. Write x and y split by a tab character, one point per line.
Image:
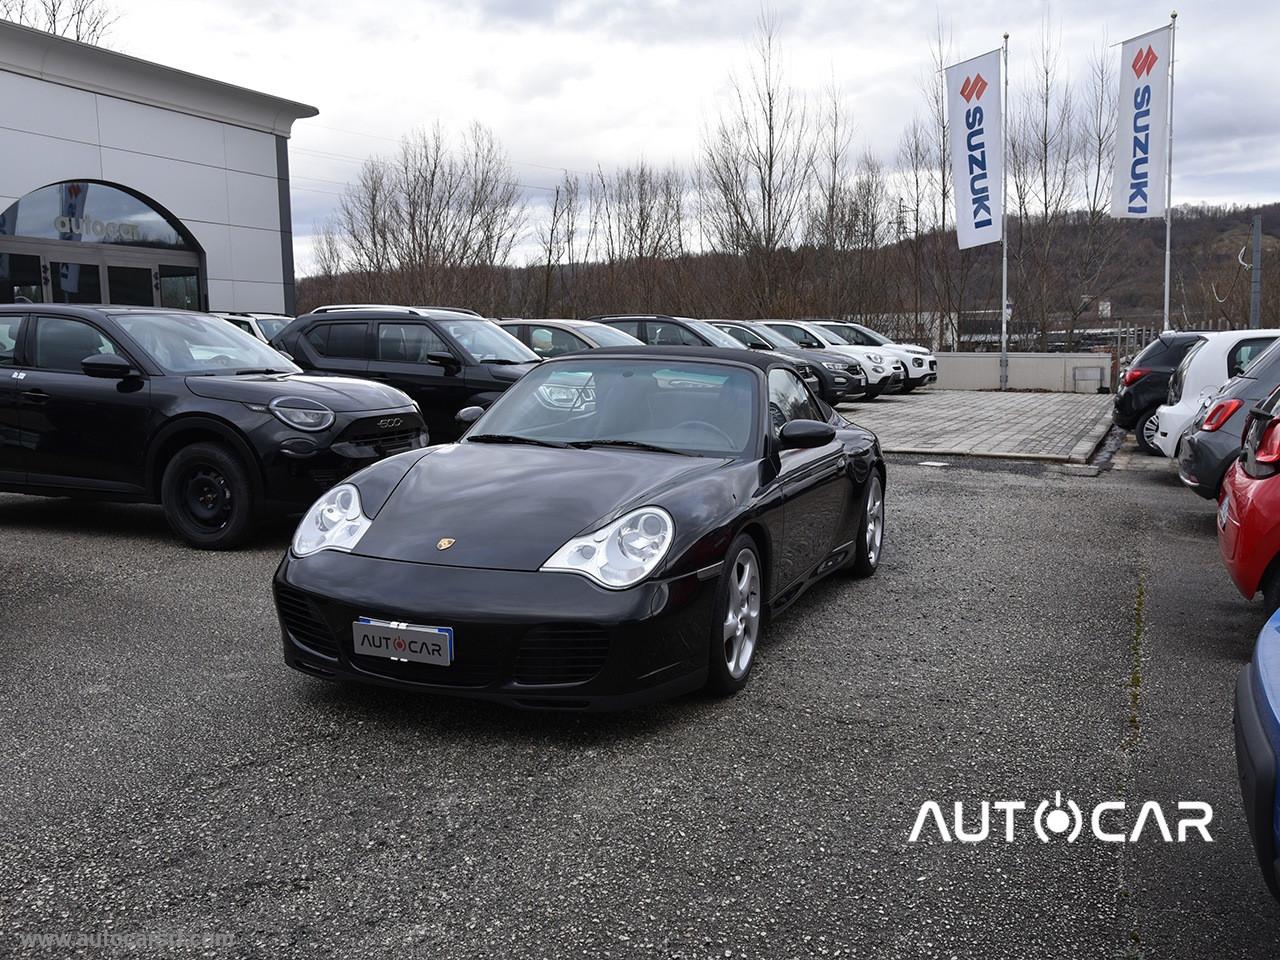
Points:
527	639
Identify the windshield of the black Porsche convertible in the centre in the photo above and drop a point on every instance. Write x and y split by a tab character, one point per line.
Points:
701	409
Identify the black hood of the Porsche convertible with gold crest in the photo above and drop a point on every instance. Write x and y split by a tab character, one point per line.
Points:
511	508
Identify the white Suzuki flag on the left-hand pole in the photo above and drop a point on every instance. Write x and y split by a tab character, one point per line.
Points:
977	161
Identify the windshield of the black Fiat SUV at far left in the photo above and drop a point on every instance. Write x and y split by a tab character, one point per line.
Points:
196	344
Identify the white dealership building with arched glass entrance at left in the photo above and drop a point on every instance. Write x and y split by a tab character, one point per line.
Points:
129	182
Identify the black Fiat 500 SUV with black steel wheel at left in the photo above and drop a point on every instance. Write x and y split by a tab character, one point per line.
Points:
148	405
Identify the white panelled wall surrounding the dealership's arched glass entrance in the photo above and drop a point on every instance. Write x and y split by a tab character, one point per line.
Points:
220	180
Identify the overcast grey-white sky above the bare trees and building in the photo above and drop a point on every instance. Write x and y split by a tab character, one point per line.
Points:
574	84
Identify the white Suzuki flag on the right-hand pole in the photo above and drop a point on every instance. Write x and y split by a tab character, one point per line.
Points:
1142	127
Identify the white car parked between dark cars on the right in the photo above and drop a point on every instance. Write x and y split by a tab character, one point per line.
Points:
1208	365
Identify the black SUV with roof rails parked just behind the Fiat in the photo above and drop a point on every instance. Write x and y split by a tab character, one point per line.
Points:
442	358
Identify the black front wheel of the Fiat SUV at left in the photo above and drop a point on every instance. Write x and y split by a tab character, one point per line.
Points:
208	497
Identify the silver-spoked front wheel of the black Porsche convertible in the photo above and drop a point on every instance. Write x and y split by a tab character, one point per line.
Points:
739	619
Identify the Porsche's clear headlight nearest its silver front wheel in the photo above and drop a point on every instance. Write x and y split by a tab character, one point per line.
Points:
620	555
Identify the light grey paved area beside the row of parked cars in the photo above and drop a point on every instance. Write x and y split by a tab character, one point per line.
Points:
1049	427
